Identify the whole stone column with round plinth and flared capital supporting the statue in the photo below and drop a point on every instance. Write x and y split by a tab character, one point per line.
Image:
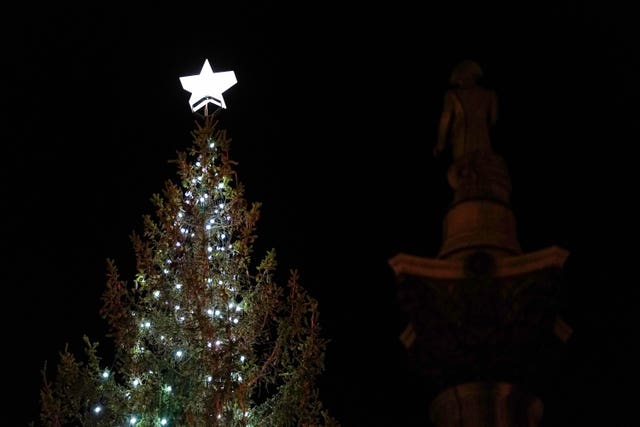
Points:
483	319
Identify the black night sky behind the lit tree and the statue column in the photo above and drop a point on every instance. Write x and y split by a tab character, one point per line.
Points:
333	119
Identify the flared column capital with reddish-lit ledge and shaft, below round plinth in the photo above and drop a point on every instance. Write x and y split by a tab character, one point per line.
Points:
483	318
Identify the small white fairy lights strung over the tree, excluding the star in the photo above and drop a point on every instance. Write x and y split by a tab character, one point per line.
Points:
218	231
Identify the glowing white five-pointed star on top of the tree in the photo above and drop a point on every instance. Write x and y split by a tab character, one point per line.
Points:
208	86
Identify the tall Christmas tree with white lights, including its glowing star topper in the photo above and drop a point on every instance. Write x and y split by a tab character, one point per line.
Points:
203	334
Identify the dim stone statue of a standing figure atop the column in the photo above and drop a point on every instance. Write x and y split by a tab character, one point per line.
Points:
469	113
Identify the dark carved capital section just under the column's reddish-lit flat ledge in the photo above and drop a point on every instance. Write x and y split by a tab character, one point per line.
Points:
480	326
